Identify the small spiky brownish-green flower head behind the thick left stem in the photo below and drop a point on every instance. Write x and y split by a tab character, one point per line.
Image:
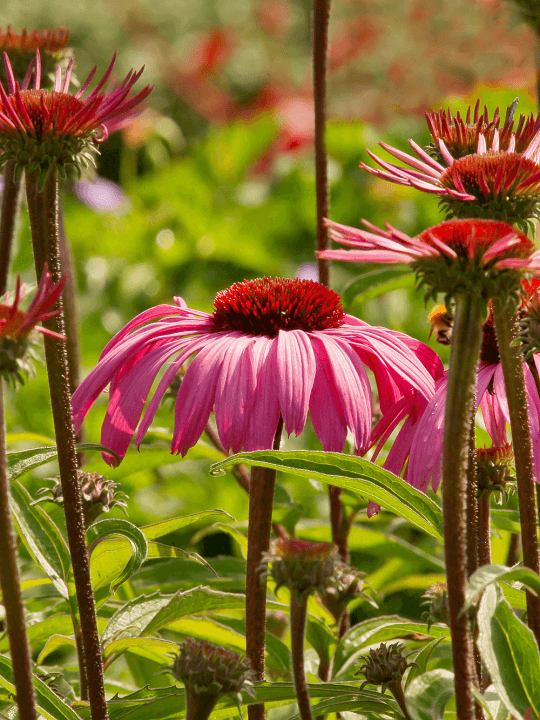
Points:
98	495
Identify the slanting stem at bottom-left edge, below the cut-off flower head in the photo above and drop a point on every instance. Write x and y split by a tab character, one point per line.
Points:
11	589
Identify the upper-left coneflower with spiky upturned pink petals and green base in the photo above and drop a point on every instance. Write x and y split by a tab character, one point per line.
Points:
53	128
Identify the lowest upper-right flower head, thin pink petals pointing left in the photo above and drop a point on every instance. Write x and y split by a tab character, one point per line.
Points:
456	256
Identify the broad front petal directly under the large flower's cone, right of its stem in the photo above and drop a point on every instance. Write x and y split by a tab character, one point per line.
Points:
296	368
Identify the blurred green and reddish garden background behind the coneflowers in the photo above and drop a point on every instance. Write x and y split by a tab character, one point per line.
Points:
217	185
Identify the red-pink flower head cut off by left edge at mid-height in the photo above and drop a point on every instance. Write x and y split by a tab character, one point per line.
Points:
19	328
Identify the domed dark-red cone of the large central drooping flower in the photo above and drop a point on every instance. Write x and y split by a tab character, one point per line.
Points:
267	305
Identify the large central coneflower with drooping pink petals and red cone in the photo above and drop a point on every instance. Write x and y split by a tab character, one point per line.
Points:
271	348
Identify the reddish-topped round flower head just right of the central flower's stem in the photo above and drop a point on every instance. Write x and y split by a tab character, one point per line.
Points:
301	566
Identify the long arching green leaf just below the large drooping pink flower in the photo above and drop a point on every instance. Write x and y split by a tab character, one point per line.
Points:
351	473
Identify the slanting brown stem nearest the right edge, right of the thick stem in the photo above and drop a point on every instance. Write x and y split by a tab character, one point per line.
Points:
505	320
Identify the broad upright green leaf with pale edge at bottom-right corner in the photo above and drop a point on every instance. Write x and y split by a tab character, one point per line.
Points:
510	653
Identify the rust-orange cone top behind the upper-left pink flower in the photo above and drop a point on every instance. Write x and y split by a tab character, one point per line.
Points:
21	48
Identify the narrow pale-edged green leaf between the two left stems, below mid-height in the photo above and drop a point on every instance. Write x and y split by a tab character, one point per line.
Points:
41	537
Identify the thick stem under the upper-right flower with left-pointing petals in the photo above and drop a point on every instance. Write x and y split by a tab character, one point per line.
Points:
466	338
